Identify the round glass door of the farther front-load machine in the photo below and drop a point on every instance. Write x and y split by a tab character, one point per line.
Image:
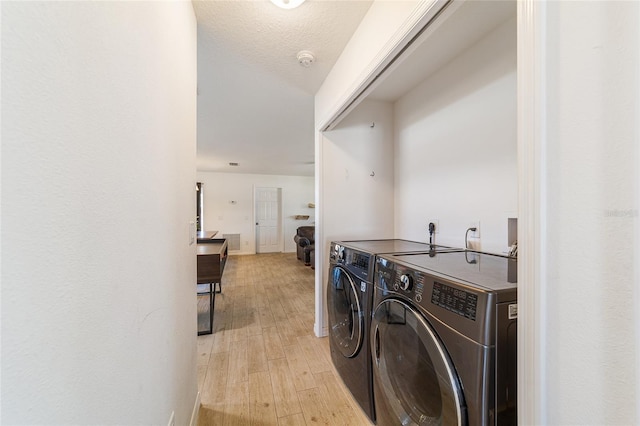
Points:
346	317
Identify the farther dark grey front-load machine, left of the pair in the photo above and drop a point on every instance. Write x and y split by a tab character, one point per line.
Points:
349	303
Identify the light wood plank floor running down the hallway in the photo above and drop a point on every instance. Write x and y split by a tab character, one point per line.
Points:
263	364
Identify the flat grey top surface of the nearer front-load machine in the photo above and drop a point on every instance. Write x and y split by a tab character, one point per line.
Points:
490	272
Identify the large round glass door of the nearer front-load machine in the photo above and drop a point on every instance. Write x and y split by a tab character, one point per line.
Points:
415	382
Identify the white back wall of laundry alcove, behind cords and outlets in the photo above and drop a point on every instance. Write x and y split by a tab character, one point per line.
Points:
455	147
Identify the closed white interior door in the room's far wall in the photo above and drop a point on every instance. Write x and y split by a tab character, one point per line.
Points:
268	218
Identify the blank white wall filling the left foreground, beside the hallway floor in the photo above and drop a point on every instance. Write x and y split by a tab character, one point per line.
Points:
98	151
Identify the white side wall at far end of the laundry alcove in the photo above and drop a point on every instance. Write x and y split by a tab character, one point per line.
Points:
355	204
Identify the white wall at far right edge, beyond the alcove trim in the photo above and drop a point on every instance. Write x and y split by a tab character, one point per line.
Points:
589	213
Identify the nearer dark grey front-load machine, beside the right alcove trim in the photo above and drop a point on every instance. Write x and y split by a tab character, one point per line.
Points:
443	339
